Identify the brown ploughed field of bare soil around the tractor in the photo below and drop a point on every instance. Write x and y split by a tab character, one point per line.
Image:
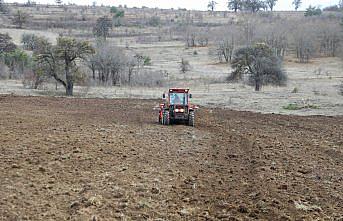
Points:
74	159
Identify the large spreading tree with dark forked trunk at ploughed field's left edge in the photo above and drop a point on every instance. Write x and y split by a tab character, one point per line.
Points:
64	58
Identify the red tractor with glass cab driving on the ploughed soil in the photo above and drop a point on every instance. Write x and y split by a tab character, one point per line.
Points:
177	108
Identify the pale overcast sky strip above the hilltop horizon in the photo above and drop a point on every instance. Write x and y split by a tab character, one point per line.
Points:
189	4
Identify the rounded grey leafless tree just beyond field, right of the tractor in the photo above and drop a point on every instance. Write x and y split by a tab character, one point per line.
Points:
259	64
